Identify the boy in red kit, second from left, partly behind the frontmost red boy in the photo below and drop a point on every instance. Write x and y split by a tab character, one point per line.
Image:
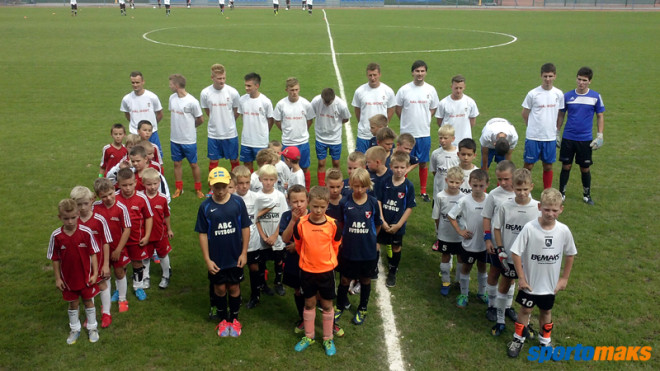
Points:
84	199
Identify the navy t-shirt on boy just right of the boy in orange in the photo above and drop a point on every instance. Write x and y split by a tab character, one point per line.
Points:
359	234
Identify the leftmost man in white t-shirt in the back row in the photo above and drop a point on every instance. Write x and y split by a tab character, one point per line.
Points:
141	104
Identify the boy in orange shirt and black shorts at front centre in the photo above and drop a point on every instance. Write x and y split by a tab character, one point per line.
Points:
317	238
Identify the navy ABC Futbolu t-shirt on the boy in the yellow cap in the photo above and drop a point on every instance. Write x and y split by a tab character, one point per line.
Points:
223	224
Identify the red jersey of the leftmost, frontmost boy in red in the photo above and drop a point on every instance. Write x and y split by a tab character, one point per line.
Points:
75	254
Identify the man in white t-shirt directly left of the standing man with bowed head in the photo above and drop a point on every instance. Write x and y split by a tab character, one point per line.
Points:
293	115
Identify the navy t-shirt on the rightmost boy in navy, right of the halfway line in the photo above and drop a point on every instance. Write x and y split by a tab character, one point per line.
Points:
395	200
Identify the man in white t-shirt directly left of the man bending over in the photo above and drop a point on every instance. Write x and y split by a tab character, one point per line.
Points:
458	110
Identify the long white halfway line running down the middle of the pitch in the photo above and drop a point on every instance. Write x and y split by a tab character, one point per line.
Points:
394	355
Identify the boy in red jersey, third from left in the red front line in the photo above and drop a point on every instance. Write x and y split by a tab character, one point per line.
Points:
119	223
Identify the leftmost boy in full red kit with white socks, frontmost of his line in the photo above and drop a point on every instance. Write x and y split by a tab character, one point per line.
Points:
73	249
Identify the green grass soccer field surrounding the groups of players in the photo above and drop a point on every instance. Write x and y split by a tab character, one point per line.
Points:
62	82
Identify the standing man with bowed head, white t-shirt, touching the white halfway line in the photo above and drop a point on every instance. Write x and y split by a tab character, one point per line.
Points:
331	113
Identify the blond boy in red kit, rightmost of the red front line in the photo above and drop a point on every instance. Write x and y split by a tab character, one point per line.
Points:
161	232
